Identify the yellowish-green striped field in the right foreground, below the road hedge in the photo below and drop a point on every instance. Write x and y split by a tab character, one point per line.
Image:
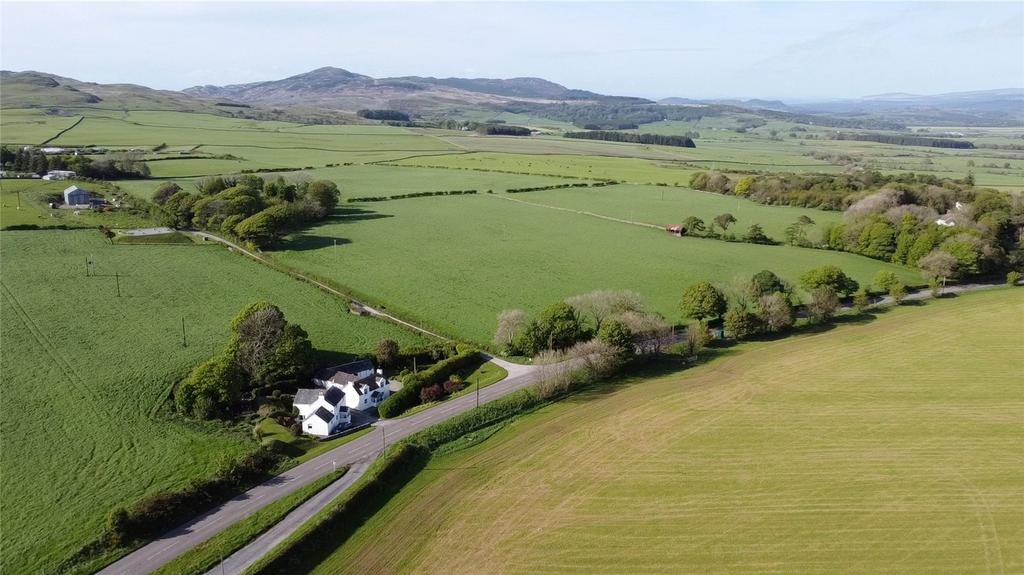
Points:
892	447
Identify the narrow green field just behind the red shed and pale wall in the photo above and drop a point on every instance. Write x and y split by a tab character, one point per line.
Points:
664	205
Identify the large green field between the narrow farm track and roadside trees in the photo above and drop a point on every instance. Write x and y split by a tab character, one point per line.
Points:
455	262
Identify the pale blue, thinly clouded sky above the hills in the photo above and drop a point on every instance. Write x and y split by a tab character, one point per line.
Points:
794	52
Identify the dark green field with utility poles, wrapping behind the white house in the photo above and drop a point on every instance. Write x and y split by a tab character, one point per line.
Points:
86	375
